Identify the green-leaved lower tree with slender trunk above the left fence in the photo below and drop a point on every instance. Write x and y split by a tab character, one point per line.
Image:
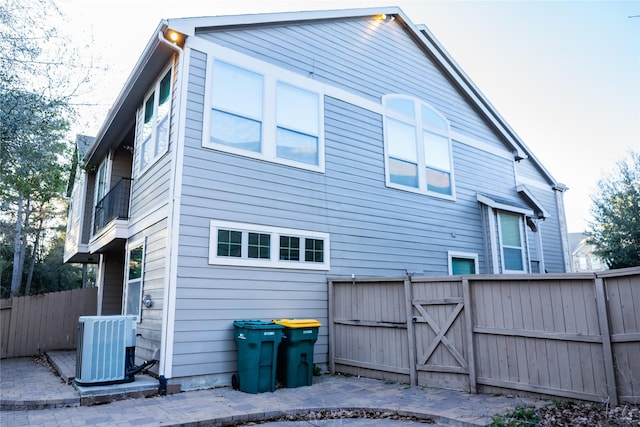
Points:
32	162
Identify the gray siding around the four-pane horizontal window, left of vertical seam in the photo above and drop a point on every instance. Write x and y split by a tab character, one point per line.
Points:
209	298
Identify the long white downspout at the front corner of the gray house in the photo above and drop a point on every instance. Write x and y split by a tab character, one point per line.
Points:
168	315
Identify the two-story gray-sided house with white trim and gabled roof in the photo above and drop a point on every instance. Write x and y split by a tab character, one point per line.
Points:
249	158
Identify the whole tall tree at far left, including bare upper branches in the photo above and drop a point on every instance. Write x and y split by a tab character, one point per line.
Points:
39	75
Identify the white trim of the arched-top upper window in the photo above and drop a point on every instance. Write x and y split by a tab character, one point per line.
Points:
417	123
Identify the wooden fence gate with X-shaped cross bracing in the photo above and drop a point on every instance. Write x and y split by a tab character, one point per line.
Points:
441	345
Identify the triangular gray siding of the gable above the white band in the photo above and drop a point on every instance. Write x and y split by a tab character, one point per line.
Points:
347	54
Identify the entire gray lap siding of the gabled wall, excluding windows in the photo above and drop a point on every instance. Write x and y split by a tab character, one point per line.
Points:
374	230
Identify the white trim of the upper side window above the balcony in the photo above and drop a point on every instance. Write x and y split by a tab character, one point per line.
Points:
137	171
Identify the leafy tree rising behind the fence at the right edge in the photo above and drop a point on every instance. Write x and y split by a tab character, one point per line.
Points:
615	231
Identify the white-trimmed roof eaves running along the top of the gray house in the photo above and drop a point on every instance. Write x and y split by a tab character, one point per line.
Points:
157	53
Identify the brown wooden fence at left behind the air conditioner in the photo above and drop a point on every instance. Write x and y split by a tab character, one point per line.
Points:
33	324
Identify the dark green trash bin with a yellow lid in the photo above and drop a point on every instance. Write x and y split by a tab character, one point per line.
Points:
295	356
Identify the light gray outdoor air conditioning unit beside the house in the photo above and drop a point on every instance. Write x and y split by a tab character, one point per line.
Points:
105	350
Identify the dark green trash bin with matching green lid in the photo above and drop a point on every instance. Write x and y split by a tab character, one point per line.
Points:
257	343
